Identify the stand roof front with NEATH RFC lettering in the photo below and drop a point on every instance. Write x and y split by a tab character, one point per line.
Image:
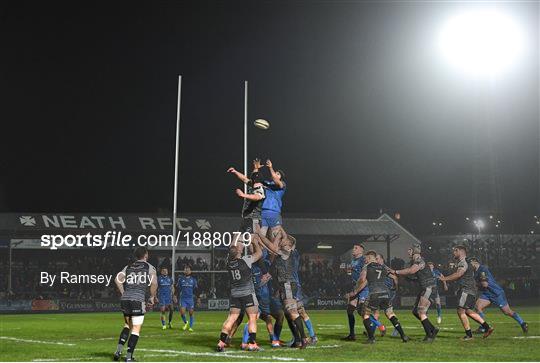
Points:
17	225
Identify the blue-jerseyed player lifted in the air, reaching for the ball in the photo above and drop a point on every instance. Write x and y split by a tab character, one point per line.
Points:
271	207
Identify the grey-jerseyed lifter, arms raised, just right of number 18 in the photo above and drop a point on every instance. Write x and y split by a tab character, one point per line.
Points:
282	248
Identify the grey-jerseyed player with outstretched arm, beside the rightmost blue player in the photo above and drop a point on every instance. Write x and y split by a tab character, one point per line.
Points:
466	293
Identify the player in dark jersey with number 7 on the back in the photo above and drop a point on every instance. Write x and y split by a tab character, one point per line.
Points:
374	275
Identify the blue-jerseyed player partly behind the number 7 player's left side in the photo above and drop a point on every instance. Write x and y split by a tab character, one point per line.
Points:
356	303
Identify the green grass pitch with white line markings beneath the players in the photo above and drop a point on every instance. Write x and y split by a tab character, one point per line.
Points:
93	337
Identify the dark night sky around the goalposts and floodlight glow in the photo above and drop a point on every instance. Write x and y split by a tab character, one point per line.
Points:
364	114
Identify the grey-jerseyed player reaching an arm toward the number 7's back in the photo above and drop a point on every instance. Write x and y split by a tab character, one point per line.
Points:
428	290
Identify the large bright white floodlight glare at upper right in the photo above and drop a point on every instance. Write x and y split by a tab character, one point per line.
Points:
481	41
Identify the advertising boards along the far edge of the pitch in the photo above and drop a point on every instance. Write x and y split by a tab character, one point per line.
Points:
109	305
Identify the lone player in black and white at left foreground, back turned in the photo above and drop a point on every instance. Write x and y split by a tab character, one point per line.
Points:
133	282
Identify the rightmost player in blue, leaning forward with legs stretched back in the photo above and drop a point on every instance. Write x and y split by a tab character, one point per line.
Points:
492	293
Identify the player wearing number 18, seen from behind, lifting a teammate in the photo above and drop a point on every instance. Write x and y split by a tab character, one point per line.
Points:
242	294
